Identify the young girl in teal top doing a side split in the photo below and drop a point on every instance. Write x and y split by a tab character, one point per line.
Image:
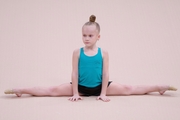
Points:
90	74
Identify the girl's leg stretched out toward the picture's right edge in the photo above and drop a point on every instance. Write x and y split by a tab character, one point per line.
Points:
118	89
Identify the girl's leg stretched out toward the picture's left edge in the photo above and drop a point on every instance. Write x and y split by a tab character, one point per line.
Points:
61	90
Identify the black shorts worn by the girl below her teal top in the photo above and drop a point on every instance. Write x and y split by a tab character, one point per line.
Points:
86	91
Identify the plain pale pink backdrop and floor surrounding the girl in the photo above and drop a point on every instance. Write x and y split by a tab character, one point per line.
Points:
37	38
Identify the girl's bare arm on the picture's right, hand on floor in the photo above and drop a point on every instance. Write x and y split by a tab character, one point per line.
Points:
105	77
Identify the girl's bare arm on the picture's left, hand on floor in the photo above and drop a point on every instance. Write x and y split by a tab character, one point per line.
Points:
74	76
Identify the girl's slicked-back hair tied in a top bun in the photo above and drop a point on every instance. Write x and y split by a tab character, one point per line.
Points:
91	21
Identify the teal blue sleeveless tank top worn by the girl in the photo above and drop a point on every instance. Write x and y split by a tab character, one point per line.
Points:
90	69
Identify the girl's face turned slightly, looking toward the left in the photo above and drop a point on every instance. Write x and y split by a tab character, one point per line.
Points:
90	35
